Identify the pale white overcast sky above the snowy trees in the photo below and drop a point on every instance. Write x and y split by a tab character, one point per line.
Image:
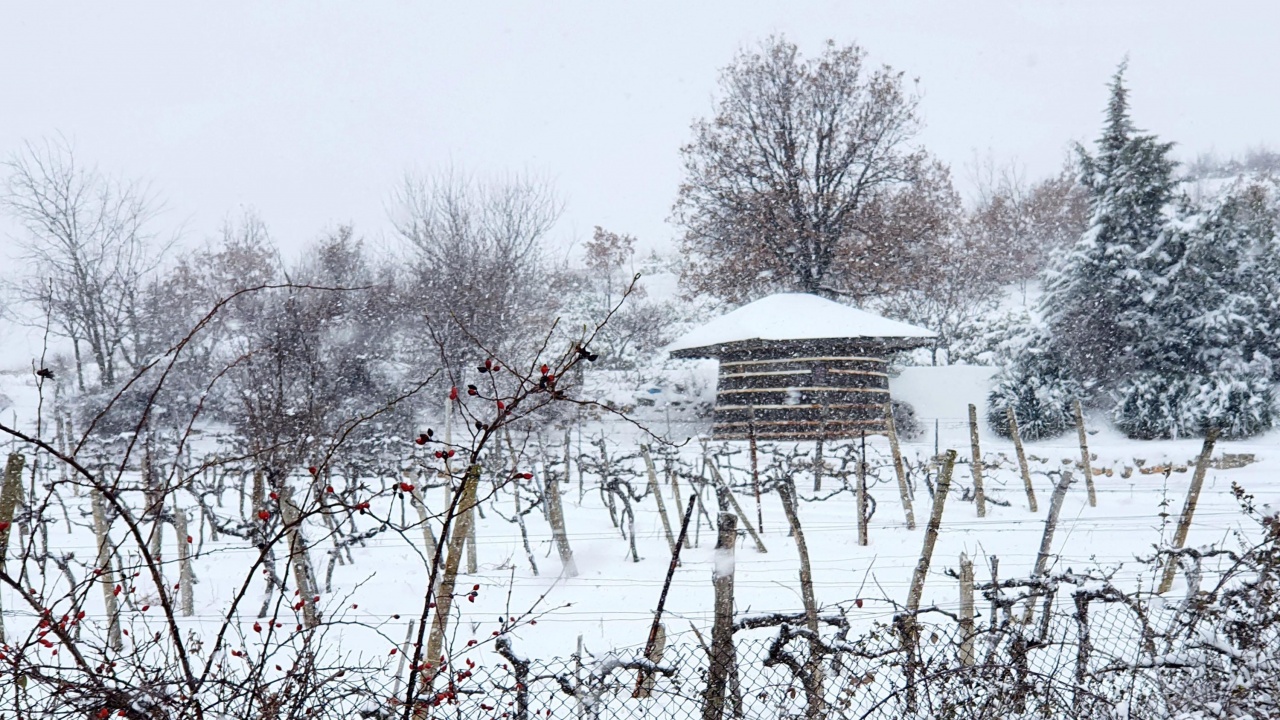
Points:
312	112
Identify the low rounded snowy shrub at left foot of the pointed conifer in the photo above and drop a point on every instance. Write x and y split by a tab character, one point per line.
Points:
1037	386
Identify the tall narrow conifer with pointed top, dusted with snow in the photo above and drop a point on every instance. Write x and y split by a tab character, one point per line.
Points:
1094	306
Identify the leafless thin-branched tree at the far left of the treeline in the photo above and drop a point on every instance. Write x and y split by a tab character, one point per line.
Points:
90	247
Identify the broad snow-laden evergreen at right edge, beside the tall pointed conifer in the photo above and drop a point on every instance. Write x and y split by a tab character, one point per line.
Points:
1204	357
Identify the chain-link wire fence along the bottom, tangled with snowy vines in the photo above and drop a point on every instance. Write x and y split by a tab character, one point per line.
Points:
1081	651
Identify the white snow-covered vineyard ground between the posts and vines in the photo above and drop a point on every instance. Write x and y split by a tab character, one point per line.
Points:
610	605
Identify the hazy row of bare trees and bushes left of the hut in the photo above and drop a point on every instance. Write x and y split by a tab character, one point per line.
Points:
286	356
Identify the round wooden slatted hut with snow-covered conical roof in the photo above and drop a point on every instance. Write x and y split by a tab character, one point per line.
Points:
801	367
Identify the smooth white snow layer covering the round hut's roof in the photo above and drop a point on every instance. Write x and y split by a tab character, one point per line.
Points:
796	316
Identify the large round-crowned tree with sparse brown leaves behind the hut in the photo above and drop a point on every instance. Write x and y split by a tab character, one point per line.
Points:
794	183
